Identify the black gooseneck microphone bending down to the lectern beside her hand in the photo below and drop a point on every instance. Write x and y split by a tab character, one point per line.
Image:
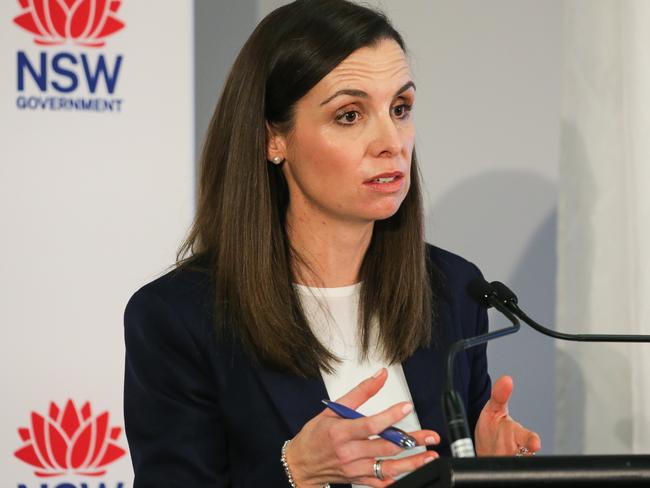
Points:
460	439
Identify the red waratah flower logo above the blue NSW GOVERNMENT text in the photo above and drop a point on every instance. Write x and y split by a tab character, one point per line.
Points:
81	22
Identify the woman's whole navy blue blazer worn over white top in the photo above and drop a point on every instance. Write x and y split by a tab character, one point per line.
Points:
198	413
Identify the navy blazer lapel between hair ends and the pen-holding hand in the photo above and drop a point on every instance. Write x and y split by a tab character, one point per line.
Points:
296	400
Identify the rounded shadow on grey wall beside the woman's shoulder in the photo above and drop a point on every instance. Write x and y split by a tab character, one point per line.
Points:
505	221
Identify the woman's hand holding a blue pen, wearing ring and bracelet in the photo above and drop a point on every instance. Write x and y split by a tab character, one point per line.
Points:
330	449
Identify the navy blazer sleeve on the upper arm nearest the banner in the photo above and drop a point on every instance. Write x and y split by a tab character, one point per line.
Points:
175	432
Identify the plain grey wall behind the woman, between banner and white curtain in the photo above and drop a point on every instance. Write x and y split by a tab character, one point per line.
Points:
487	118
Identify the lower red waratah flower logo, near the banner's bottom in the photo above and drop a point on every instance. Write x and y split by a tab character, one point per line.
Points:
69	441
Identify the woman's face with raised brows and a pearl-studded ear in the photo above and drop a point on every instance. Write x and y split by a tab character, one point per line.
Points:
348	156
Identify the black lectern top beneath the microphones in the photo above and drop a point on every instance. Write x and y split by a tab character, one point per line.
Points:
532	472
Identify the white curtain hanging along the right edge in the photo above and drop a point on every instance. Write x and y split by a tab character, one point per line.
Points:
604	227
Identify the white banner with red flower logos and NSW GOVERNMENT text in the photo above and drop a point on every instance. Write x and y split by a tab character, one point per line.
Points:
96	190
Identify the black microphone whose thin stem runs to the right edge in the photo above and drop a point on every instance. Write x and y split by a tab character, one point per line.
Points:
506	297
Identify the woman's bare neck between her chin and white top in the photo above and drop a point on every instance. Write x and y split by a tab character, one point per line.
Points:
332	251
